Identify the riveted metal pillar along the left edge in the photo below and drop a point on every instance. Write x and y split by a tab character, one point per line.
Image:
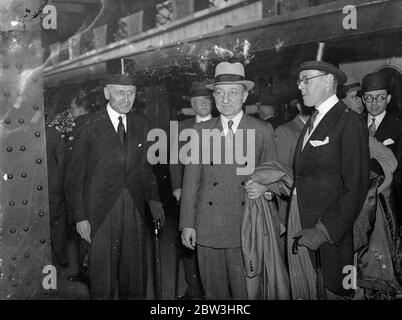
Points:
24	218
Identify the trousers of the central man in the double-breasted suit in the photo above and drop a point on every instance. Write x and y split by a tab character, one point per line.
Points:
222	273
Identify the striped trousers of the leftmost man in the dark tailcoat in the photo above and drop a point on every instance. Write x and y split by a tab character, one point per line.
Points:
117	254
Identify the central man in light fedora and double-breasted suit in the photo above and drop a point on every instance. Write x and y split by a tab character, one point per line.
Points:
213	196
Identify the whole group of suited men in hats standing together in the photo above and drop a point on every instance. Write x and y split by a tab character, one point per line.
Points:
341	151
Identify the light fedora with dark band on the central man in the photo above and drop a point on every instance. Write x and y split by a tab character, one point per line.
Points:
230	73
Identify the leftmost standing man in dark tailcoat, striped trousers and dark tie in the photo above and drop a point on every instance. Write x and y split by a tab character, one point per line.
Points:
108	181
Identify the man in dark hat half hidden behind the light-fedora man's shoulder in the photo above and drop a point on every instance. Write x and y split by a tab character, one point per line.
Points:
200	99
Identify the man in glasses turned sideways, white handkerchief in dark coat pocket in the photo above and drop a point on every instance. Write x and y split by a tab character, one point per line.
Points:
331	173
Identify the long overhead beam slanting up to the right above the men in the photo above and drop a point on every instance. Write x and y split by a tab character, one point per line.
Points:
321	23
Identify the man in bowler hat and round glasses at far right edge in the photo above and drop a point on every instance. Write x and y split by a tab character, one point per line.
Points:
384	127
